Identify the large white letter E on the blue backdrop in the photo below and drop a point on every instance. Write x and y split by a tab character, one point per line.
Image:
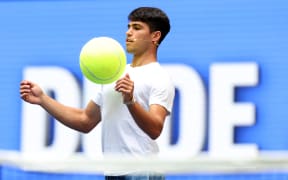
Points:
225	114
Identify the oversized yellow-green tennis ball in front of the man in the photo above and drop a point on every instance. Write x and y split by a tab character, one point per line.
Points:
102	60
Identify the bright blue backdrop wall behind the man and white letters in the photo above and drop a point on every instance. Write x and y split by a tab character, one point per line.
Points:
53	32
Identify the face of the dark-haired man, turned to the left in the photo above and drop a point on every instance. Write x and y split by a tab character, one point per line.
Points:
138	37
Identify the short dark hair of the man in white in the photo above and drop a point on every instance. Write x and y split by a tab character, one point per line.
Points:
156	19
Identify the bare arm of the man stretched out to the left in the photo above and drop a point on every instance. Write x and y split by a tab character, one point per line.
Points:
83	120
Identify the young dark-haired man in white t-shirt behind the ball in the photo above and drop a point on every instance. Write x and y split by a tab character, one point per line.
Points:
132	110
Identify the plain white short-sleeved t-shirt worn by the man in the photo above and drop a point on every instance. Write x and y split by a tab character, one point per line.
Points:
120	133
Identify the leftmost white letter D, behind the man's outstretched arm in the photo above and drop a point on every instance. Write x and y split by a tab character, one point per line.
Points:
35	119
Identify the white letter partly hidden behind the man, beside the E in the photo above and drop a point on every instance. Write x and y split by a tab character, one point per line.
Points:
192	113
